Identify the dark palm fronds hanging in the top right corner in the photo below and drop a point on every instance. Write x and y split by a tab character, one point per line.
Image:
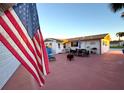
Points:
117	7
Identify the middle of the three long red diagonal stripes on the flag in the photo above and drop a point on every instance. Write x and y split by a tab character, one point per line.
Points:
15	39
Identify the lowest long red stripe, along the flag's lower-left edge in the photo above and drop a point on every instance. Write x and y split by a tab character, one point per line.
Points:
4	41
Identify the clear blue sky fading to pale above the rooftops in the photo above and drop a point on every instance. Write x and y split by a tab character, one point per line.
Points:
68	20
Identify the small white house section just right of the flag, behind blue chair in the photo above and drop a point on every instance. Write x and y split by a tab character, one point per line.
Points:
55	44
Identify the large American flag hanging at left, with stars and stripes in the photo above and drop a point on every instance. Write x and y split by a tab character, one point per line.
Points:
20	33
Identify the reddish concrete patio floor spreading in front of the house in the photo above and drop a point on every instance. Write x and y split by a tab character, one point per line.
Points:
97	72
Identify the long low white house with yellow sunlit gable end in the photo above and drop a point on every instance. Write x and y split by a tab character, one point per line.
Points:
100	42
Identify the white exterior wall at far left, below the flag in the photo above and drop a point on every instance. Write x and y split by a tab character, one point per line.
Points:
8	65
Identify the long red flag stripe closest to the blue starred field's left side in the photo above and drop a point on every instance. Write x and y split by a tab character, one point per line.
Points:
12	19
